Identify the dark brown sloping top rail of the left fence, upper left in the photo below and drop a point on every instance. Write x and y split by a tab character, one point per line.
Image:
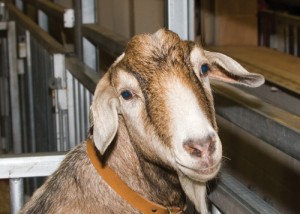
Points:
44	38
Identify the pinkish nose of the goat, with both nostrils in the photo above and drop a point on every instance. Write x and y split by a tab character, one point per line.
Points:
200	147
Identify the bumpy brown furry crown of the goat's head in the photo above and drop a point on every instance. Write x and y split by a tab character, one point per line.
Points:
150	53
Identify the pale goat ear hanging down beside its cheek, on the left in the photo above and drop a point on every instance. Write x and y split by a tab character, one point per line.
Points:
104	114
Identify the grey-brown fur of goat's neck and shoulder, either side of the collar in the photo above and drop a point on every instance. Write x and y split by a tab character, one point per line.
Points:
77	188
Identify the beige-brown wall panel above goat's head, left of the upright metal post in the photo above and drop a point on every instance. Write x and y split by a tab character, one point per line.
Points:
131	17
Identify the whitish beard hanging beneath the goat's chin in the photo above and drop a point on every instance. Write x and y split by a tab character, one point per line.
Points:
196	191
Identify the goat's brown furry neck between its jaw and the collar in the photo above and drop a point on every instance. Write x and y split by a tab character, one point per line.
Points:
156	183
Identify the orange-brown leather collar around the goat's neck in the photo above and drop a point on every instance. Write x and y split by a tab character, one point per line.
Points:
115	182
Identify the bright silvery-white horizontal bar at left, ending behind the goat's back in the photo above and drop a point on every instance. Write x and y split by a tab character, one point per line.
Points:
29	165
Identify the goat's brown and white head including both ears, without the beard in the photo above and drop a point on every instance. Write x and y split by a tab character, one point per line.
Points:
160	85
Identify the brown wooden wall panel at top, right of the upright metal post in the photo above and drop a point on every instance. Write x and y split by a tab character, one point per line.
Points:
231	22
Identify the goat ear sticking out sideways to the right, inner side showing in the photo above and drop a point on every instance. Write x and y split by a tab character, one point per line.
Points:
228	70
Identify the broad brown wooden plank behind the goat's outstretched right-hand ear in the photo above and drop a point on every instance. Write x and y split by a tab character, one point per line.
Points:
279	68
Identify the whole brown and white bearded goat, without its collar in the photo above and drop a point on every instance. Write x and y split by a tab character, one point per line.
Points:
153	125
